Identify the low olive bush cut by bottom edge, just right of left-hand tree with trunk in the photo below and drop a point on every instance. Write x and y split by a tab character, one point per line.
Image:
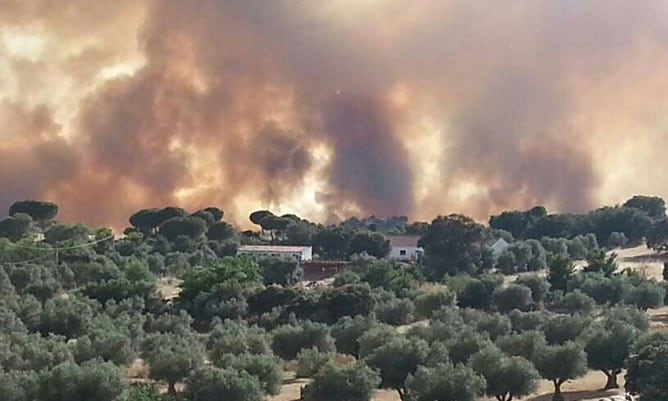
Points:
214	384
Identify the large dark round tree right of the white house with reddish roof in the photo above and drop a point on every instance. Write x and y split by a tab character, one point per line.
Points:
452	244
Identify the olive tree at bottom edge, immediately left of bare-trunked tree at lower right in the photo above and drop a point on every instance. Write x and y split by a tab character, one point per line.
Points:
506	377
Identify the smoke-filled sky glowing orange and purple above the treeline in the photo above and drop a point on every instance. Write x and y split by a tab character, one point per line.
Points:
332	108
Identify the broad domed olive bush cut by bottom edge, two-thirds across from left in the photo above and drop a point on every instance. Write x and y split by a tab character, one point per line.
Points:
445	382
